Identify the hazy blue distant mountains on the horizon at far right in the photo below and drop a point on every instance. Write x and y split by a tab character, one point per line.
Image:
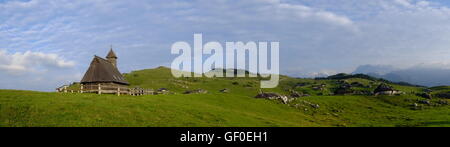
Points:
419	75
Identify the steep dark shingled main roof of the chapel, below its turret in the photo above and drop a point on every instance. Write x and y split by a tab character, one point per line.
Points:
102	70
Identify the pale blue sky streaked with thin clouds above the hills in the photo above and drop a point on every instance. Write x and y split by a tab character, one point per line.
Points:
47	43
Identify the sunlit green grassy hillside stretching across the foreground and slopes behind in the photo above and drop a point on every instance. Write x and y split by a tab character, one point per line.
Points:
319	106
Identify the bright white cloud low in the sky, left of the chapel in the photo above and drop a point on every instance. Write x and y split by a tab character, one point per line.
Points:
22	63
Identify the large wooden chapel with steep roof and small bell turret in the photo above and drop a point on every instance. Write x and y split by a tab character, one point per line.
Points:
103	76
